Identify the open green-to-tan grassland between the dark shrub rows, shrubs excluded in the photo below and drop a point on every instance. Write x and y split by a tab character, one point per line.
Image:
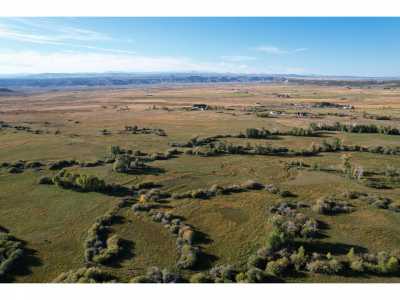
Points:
82	125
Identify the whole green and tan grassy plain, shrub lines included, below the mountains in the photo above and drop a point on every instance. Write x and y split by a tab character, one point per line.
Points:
51	222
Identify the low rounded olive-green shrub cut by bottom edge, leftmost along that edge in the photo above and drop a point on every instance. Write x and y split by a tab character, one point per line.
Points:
84	275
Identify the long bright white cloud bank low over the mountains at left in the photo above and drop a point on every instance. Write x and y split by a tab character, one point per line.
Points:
72	62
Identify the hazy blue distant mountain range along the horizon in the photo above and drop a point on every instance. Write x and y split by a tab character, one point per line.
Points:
96	80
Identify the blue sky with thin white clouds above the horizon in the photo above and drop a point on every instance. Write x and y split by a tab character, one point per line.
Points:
321	46
